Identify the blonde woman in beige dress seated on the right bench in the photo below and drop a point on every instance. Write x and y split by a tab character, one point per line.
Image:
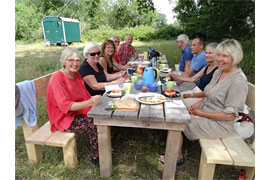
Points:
213	116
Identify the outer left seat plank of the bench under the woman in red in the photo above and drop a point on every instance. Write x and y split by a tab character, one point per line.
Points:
41	135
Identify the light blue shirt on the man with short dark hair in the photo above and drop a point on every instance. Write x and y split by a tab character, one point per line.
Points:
197	63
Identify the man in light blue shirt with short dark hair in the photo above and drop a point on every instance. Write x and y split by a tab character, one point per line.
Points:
197	63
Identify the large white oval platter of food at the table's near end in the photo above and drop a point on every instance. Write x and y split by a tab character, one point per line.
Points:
150	98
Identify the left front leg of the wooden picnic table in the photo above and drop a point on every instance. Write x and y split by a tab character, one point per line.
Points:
105	150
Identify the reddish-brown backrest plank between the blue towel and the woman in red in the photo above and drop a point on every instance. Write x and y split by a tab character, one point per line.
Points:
41	85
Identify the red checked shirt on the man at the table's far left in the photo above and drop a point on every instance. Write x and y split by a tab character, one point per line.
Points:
125	52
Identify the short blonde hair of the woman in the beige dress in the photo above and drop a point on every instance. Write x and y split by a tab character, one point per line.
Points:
232	48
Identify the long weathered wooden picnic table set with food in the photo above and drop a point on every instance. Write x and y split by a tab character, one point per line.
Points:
164	116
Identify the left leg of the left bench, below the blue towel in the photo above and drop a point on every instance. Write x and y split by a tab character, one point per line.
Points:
34	152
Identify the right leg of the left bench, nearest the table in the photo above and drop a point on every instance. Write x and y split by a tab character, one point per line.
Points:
70	154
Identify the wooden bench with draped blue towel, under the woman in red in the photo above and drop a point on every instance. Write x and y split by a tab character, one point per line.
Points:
35	136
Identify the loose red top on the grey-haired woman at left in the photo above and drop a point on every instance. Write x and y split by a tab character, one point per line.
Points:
62	92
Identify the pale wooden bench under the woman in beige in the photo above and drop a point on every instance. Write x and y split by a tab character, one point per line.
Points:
228	151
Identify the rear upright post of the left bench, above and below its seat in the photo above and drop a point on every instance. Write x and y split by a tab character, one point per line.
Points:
34	152
